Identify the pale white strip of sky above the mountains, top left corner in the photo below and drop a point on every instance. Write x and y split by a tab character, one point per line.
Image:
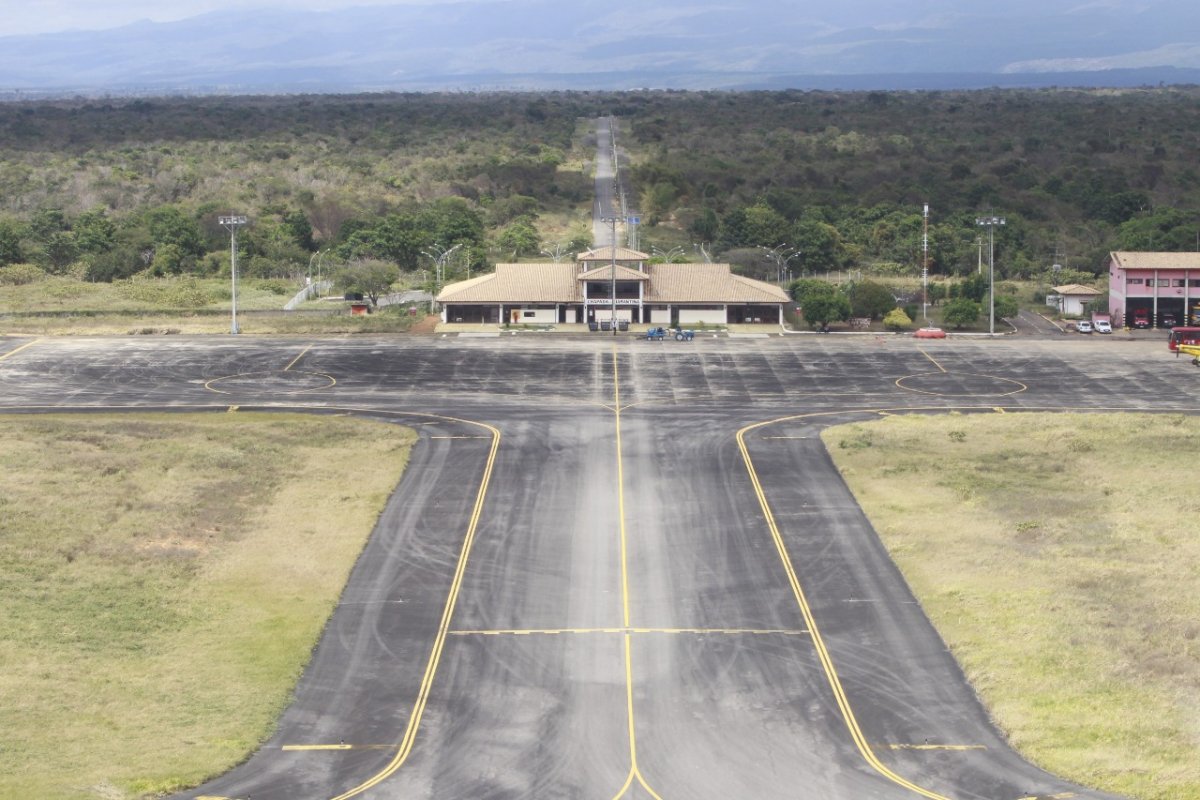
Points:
47	16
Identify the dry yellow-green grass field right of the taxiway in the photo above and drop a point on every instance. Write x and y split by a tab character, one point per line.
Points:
1058	557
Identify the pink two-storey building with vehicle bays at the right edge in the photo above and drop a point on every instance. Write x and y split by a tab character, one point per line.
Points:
1165	286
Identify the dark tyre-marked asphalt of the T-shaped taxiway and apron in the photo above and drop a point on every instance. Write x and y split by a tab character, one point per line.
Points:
616	568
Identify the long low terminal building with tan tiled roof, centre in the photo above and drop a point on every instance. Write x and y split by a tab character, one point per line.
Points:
608	286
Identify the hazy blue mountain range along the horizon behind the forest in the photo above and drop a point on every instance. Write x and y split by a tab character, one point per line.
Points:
481	45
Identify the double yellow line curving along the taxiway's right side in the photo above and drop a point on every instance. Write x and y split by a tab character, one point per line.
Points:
827	665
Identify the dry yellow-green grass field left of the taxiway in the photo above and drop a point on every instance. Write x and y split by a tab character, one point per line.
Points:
163	581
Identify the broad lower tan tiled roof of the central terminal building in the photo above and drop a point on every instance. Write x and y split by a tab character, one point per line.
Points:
667	284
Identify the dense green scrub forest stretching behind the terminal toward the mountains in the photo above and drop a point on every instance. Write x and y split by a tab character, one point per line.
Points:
110	190
